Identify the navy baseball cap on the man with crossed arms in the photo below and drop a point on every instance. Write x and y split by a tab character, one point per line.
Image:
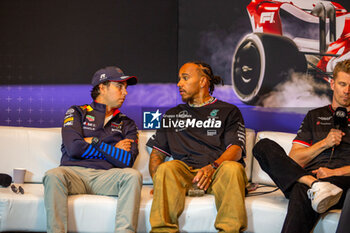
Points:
112	73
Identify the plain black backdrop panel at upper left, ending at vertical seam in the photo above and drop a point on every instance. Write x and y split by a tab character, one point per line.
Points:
65	42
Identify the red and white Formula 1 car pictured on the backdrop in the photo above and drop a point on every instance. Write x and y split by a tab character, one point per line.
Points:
307	36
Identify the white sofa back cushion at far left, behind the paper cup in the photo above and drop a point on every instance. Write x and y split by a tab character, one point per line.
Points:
36	149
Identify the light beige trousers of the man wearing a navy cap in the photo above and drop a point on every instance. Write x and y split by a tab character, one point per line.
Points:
69	180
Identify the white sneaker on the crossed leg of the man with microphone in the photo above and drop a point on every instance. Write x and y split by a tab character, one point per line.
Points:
323	195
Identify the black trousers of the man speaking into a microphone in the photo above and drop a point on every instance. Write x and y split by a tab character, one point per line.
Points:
285	172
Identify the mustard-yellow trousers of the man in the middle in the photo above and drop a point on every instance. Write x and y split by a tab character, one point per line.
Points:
174	178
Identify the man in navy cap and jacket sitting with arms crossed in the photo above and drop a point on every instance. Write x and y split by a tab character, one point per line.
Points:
99	147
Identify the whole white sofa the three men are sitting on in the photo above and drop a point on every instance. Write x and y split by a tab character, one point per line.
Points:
38	150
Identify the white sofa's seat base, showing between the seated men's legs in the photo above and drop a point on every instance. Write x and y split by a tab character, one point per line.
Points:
92	213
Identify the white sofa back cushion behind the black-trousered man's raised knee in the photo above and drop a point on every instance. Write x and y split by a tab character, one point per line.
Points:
284	140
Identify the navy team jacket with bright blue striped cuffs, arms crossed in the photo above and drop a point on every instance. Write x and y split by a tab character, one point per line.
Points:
87	121
